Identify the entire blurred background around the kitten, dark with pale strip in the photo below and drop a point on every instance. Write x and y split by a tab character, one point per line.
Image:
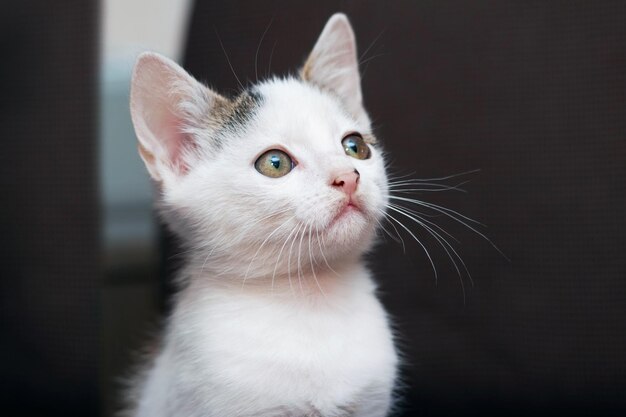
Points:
531	93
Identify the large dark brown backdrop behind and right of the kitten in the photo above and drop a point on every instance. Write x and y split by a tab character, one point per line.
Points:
533	94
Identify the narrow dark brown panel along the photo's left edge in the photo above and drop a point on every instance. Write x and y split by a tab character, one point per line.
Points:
50	278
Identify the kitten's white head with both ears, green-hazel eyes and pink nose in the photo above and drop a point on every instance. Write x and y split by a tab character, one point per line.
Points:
287	176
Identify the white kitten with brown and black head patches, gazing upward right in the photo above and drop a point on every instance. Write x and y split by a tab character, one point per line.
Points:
276	195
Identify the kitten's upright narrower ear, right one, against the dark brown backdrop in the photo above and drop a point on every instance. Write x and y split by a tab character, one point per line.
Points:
333	63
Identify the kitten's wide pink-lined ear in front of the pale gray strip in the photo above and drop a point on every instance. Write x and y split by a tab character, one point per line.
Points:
165	104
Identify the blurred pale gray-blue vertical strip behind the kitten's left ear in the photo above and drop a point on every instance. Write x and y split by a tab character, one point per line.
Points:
129	28
